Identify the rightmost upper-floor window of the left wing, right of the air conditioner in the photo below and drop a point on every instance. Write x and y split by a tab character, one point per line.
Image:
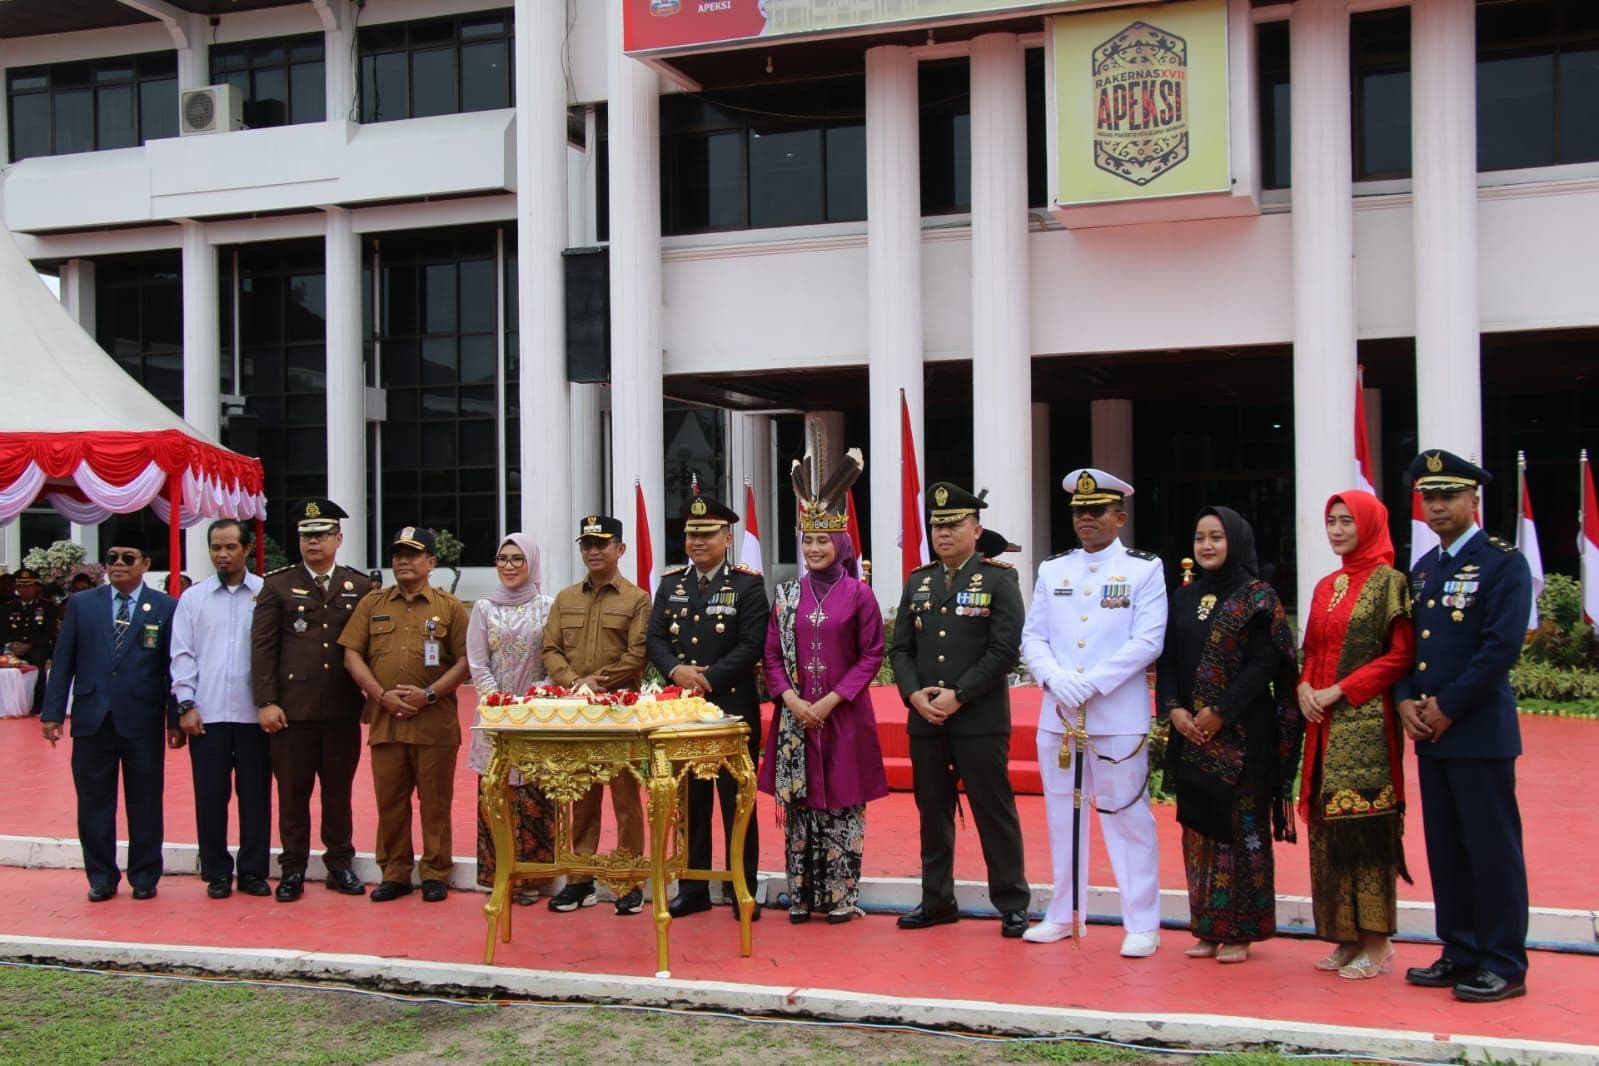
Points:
436	66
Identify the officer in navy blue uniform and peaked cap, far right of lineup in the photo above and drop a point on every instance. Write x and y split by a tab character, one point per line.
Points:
1472	602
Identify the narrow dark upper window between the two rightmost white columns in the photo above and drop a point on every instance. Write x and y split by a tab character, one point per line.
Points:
1381	84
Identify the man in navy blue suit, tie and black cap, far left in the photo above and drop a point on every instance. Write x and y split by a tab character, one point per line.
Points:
116	643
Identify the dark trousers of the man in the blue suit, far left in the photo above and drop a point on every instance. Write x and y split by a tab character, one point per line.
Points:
142	763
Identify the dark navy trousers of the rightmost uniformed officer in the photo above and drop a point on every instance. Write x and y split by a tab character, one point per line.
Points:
1475	859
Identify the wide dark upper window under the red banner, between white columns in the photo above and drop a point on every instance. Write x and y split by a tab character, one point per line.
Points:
762	157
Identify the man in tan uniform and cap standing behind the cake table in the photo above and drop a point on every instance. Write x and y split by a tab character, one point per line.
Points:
596	638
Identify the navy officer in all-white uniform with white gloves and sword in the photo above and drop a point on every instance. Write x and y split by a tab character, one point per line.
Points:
1096	624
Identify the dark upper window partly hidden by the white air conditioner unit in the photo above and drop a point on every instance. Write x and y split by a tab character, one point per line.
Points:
284	79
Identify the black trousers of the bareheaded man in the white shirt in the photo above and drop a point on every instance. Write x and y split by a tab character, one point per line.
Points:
228	758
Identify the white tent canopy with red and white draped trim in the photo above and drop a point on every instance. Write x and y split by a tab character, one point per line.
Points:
90	440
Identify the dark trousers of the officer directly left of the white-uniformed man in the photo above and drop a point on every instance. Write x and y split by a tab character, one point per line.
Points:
984	765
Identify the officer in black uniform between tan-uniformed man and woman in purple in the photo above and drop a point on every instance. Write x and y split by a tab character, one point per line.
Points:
708	630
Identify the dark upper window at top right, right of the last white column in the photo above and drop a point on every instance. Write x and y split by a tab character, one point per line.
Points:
1537	84
